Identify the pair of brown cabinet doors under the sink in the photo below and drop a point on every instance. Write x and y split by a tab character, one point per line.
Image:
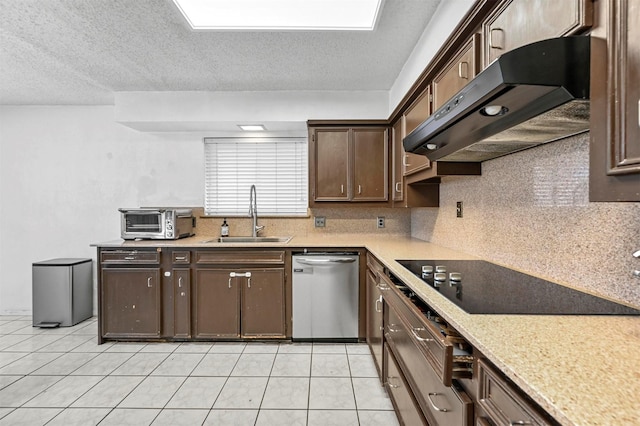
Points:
239	302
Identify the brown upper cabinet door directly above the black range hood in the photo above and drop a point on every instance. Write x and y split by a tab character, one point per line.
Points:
522	22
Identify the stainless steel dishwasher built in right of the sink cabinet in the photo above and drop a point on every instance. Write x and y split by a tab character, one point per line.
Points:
325	296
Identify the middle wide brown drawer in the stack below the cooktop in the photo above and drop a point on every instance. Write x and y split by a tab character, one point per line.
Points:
442	405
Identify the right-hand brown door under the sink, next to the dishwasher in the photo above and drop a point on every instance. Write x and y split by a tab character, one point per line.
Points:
263	303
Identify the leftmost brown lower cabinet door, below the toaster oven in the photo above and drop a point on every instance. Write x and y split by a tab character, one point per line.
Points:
130	302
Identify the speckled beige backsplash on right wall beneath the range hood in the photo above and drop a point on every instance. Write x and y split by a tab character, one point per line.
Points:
531	211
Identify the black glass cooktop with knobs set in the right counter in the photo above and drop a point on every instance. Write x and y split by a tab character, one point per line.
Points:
480	287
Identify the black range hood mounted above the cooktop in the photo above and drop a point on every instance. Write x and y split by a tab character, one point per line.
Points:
532	95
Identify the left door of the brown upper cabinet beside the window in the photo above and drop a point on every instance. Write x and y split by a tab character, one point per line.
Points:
331	163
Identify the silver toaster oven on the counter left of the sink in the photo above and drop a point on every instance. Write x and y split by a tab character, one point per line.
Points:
156	223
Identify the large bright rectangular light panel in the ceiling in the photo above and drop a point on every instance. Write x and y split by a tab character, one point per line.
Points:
278	15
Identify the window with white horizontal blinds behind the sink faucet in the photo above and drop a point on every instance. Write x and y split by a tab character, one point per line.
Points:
276	166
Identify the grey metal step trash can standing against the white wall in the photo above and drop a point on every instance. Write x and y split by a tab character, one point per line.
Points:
62	292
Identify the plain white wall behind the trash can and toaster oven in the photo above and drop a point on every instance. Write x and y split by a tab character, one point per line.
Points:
64	171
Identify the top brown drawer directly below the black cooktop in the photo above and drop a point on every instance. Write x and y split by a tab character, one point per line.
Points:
437	350
